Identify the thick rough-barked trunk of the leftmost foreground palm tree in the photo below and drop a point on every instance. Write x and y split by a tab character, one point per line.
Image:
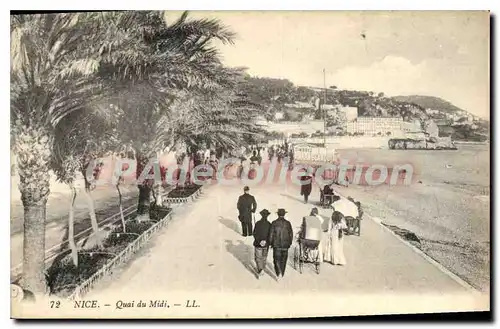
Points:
33	157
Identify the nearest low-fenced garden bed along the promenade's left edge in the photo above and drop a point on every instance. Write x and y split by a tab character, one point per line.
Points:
67	280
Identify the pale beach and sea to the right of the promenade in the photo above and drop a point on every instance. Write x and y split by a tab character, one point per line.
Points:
453	233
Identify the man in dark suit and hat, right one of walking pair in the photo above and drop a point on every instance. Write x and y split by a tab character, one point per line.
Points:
280	238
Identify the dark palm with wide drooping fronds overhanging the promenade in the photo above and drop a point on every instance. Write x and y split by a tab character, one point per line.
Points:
175	57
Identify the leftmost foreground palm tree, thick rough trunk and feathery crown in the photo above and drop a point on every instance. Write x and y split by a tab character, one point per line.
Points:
54	59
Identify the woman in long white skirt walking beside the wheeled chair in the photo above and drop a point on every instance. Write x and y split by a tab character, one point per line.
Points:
334	244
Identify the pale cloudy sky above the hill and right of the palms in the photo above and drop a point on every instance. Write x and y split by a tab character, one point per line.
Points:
444	54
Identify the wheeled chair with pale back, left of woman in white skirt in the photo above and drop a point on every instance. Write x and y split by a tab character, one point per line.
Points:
308	243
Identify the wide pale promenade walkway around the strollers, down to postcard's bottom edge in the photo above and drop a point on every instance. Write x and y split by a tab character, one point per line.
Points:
202	252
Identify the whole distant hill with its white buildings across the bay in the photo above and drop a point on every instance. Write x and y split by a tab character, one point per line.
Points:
282	101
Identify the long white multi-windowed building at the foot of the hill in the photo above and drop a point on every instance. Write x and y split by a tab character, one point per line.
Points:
376	126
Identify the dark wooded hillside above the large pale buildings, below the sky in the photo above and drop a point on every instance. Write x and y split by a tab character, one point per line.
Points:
295	102
